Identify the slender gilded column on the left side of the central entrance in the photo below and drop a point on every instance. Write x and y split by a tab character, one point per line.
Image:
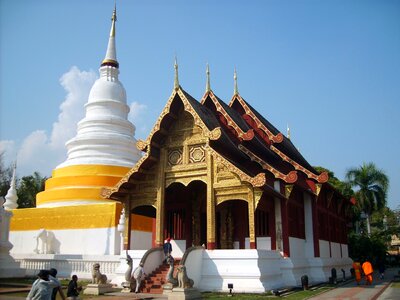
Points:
160	213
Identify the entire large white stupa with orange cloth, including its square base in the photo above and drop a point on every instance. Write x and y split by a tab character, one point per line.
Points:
71	208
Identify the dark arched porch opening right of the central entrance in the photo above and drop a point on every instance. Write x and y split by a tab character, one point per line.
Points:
232	225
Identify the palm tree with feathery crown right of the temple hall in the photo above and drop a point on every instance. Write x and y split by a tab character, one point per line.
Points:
372	185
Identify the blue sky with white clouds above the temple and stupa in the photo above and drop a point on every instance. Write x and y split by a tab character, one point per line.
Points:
329	69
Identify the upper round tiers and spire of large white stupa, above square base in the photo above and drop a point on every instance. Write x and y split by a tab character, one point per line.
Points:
104	147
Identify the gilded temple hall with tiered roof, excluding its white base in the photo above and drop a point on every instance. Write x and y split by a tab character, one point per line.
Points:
222	176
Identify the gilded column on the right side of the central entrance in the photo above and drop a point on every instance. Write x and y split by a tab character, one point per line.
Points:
210	203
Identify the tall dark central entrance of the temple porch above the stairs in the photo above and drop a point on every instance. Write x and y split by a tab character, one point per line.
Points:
185	214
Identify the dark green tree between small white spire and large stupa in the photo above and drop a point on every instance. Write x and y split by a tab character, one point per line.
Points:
27	189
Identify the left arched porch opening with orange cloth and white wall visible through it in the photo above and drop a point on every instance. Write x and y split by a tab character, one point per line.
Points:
143	227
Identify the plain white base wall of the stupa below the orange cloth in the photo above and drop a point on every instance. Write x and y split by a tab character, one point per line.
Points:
96	241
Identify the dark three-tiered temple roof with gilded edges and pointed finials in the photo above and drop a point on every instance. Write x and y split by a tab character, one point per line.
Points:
238	134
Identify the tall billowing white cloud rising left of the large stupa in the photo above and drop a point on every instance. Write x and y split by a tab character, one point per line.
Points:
42	153
